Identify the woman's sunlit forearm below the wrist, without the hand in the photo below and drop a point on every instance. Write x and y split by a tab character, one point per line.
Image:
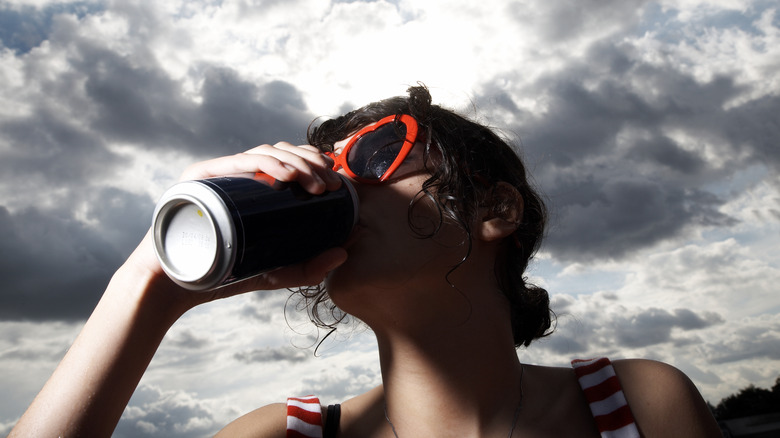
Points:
90	388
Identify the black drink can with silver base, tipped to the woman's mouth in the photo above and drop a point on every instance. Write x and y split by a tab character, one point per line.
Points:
212	232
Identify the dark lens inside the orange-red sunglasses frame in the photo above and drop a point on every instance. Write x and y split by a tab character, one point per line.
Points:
374	152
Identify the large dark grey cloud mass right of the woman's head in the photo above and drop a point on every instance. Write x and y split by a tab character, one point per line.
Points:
611	194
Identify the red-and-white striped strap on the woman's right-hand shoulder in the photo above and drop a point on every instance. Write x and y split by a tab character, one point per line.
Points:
605	397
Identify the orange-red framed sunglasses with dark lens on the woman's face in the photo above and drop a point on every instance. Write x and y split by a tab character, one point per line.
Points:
376	151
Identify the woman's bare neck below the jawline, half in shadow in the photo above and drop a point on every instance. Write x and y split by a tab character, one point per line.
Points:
465	378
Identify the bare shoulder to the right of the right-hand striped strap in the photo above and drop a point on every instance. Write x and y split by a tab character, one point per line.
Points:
664	401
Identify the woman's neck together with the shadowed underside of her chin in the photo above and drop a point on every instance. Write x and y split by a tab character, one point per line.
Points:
446	349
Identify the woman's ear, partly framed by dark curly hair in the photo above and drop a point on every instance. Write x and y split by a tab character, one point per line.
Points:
501	213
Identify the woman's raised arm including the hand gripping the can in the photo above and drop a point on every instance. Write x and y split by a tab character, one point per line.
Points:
87	393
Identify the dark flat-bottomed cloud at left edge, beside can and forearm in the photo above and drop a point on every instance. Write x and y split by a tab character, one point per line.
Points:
55	266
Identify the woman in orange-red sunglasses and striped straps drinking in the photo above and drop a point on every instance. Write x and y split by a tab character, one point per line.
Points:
448	224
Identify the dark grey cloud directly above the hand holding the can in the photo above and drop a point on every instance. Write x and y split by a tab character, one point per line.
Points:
142	105
